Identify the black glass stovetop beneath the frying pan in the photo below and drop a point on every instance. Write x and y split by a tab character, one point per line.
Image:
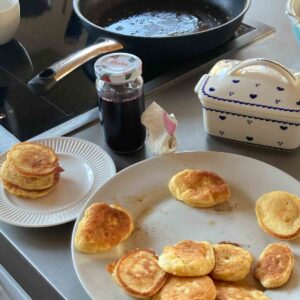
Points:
49	30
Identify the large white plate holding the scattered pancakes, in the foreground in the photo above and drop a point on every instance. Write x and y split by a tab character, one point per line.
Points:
161	220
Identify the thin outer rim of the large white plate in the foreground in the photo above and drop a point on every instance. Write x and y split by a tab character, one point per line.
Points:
120	173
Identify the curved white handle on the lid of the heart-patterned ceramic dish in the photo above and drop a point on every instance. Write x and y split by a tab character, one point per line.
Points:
291	79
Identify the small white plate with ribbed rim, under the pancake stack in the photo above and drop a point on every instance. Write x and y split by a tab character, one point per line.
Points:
86	167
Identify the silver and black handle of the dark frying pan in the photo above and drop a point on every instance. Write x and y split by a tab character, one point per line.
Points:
49	77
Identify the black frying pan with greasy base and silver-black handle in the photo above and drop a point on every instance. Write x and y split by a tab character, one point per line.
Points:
152	29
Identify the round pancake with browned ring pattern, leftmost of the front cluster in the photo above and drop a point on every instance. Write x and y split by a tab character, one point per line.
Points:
139	274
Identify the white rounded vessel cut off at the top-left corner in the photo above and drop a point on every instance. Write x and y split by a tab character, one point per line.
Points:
9	19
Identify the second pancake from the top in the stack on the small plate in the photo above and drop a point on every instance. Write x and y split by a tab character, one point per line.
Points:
10	175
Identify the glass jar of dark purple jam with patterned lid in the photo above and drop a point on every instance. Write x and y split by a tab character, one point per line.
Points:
121	100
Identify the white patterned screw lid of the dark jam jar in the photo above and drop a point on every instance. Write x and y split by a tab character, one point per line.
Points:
118	67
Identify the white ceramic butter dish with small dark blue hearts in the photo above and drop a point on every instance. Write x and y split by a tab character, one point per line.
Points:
254	101
